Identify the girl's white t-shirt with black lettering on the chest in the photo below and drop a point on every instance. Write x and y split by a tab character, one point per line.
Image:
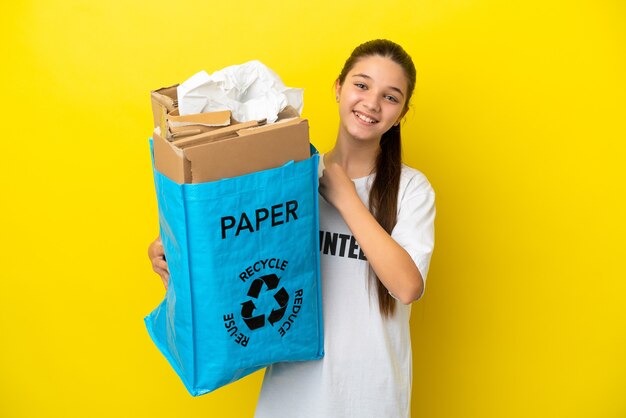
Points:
366	371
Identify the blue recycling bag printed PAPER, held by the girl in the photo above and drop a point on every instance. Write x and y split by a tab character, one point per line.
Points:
244	289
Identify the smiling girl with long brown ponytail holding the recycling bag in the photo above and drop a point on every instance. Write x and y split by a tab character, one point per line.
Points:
372	199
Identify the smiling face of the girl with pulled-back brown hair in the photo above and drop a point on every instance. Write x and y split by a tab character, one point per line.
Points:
372	98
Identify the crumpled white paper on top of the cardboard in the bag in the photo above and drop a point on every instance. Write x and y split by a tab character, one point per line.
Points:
251	91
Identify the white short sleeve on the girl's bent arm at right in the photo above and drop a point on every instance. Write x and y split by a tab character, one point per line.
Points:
415	227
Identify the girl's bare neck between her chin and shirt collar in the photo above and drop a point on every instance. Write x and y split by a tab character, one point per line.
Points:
358	158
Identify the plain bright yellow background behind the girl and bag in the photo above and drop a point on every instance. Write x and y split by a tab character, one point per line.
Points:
517	120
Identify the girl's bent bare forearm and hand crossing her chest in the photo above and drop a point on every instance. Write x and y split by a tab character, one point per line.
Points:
392	264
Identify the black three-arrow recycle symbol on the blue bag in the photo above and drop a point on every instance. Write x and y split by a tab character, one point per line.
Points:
248	307
